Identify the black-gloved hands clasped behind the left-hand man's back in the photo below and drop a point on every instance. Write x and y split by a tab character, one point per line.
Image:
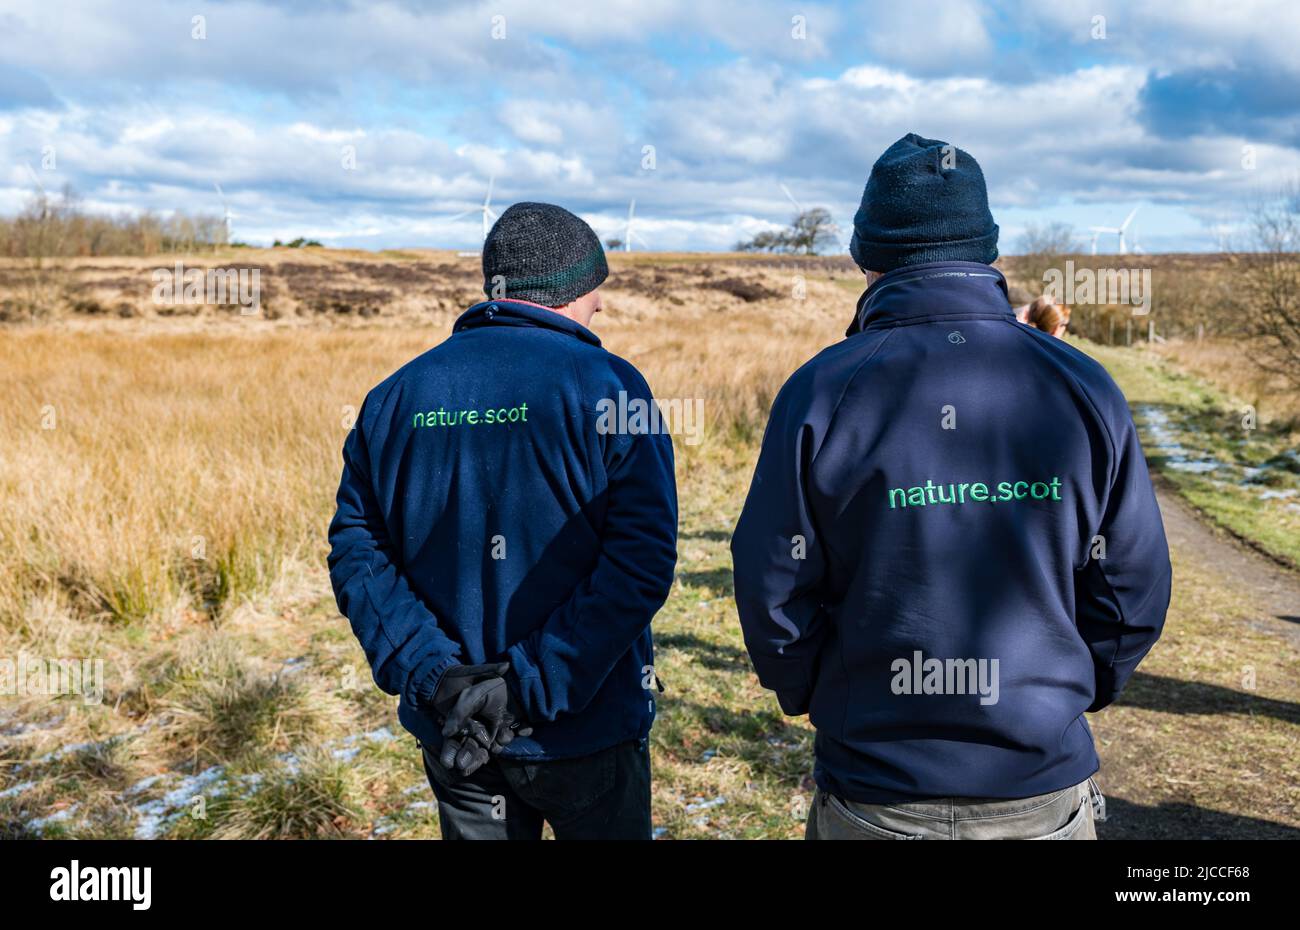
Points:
479	716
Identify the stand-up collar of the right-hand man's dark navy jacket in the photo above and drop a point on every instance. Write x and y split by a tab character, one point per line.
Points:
937	291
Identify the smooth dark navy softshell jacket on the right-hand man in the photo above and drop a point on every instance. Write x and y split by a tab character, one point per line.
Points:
951	550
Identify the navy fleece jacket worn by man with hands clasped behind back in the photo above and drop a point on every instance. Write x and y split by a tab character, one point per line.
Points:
483	517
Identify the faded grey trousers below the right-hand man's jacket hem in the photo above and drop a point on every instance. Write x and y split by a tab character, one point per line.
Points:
1063	815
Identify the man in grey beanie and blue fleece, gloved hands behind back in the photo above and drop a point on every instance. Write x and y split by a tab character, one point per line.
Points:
501	548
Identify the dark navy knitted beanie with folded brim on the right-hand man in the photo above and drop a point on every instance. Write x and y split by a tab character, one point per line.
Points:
917	209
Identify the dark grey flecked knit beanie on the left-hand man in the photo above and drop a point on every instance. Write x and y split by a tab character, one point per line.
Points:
543	254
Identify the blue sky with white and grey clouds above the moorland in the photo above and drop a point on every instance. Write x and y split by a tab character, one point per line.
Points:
374	124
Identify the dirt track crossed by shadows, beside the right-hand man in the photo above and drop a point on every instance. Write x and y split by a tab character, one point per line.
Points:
1194	755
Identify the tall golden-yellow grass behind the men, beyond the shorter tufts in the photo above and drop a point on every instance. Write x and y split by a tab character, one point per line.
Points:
170	474
